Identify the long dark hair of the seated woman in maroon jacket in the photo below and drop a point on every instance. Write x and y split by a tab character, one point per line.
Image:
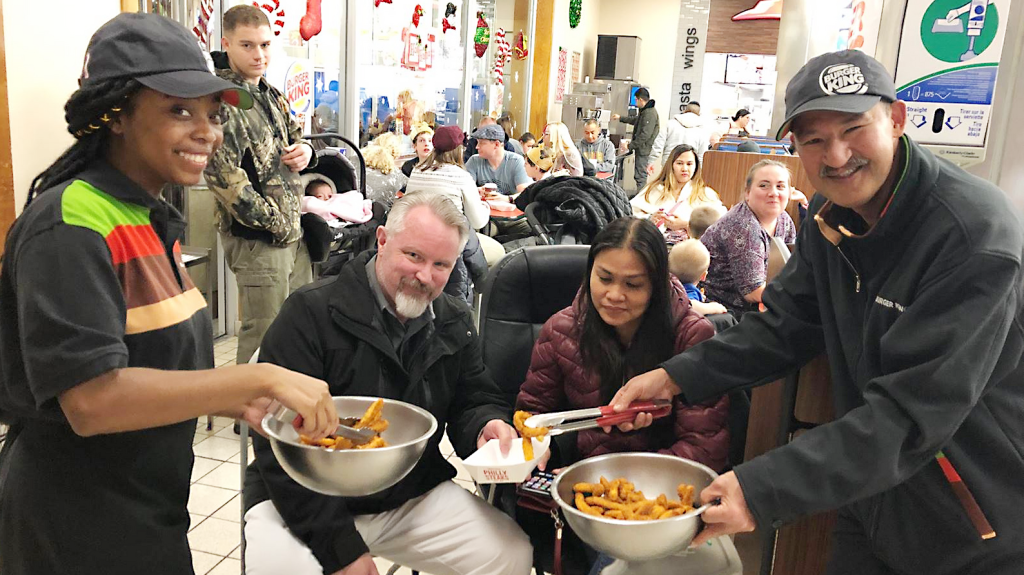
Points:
601	348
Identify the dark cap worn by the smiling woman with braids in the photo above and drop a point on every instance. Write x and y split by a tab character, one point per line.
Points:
160	55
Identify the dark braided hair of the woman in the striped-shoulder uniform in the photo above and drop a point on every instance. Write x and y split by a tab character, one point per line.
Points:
89	113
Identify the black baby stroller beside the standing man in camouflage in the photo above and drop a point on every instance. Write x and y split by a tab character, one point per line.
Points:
338	246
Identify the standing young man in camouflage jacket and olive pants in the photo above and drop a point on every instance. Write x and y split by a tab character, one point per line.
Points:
254	176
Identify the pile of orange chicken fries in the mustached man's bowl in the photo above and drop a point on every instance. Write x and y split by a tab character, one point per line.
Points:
620	500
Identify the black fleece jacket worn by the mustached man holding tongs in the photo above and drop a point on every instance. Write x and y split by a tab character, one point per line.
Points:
922	322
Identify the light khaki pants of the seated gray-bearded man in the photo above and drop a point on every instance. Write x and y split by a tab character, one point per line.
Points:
448	532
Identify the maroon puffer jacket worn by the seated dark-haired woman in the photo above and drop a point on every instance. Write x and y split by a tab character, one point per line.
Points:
559	381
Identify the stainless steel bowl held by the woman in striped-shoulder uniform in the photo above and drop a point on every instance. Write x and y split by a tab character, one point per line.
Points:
356	473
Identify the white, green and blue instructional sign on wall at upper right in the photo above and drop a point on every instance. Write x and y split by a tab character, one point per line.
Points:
948	66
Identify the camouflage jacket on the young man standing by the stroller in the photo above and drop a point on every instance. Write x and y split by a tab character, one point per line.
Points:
259	197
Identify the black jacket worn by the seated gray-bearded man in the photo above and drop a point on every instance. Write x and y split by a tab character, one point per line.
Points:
326	330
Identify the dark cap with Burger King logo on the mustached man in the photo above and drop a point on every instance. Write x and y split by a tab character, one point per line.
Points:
848	81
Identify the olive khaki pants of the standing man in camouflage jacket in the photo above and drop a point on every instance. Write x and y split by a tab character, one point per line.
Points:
267	275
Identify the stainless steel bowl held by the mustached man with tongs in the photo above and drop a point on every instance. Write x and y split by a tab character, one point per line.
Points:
652	473
